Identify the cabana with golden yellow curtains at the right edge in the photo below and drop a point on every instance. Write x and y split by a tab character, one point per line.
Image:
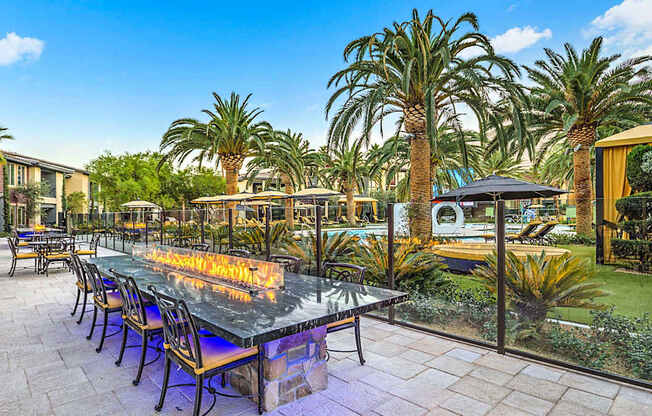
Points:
611	182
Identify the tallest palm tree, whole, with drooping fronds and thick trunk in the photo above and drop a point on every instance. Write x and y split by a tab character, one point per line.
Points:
417	69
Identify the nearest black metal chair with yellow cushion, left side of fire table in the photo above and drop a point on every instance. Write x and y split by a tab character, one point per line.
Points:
200	357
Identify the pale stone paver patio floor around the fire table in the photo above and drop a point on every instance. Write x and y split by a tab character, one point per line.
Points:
49	368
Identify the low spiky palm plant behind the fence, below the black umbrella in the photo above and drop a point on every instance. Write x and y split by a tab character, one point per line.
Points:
537	284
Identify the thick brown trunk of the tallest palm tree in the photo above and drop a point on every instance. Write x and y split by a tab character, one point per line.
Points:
420	185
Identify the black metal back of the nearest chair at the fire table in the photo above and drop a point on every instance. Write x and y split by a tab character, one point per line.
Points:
179	329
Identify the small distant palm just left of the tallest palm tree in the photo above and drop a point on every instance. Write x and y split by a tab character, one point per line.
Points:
344	166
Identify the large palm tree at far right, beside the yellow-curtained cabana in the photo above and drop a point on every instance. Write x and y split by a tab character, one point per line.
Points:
574	95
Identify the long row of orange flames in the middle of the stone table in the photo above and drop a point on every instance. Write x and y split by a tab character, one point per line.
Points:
233	269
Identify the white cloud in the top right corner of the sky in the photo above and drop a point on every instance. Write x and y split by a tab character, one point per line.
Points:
626	27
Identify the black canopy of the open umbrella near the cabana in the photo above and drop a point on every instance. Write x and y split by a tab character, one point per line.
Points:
495	187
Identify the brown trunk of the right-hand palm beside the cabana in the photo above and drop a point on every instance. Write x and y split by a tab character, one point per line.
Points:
582	136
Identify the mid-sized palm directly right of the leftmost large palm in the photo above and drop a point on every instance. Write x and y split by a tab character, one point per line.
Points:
288	155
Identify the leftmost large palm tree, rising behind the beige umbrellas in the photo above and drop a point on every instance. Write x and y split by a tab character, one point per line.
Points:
228	137
